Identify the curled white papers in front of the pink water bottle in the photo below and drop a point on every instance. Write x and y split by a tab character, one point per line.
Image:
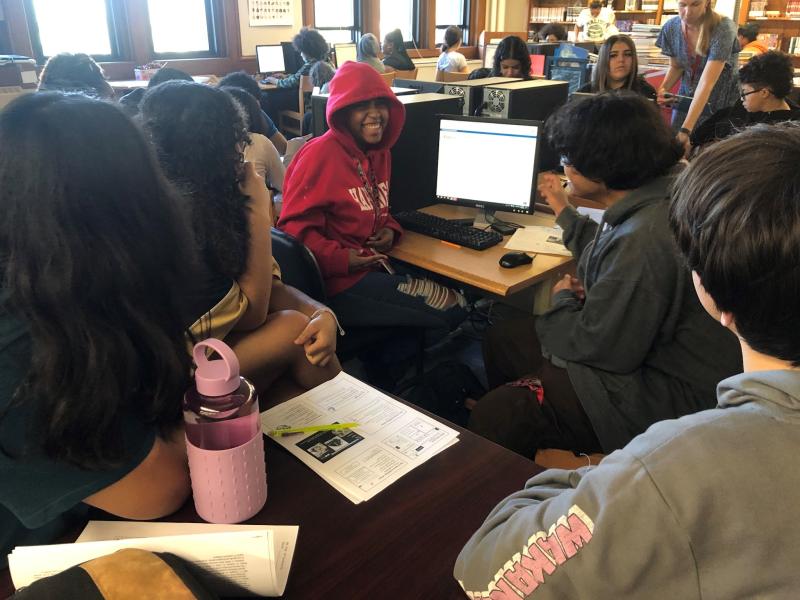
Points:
238	559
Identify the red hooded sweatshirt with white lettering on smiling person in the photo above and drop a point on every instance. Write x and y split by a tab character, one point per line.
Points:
327	203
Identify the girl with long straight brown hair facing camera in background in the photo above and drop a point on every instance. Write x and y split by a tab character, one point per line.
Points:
618	69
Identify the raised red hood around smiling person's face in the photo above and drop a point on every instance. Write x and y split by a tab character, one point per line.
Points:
358	82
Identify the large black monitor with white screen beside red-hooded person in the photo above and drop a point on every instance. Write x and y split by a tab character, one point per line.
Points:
504	175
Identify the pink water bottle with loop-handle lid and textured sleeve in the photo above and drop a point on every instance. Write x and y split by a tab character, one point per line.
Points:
223	438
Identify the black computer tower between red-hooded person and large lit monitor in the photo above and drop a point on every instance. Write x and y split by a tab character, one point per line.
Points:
414	155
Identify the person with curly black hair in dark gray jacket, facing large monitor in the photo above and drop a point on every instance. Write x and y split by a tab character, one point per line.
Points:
626	343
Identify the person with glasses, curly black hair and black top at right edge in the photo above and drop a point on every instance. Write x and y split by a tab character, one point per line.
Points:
766	82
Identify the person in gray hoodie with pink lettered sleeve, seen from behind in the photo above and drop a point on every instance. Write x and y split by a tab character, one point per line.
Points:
702	506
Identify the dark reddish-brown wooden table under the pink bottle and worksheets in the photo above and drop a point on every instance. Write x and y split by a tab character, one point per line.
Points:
402	543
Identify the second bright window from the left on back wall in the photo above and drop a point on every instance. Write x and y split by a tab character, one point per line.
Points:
182	28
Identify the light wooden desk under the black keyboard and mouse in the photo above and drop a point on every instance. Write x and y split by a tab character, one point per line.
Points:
478	268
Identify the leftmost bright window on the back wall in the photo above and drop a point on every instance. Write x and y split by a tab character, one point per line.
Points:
72	26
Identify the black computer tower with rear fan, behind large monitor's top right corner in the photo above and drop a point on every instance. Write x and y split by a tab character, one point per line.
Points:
531	100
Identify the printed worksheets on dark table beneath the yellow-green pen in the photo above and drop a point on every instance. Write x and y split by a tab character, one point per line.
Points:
391	438
